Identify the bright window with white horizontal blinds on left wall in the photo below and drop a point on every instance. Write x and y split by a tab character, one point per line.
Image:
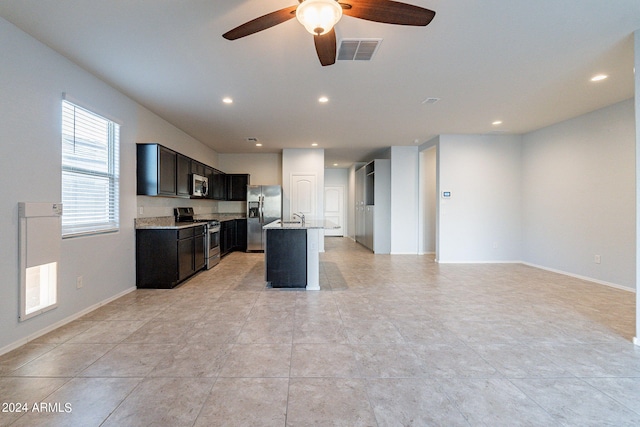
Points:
90	172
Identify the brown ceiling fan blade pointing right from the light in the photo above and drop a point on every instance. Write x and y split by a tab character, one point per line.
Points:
388	12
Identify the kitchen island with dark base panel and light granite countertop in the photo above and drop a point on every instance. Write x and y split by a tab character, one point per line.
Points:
292	258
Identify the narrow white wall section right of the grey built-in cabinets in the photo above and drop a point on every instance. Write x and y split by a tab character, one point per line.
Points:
405	179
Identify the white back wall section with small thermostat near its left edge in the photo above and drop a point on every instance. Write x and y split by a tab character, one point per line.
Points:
481	220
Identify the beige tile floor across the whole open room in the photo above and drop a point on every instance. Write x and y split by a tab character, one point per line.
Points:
388	341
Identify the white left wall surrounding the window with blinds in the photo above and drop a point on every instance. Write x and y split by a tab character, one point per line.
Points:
33	80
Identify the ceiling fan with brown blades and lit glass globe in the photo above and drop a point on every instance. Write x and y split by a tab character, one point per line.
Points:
319	17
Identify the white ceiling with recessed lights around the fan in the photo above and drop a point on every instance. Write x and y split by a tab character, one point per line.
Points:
527	63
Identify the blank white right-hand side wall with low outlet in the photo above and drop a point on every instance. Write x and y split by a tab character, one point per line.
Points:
579	195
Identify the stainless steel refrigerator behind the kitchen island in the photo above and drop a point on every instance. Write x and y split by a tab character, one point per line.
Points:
264	205
